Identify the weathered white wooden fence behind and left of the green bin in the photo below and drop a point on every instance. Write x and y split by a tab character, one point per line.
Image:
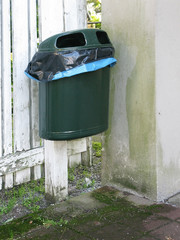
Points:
21	149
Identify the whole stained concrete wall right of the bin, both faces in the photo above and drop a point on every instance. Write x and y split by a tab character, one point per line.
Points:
142	145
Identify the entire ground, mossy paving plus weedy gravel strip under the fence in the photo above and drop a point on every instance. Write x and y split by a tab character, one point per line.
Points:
91	212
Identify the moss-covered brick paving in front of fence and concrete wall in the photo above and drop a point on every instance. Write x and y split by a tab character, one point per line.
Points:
104	214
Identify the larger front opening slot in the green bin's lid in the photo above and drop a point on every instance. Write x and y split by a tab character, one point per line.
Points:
71	40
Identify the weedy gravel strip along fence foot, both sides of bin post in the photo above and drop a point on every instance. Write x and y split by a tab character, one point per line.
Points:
30	197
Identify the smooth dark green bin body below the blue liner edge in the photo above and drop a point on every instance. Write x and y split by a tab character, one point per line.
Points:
74	107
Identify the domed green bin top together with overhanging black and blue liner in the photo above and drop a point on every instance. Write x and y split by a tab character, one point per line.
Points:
70	53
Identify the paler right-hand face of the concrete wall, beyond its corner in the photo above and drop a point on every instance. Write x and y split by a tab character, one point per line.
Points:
168	97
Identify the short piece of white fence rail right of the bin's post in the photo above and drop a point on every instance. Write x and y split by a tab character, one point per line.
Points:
76	146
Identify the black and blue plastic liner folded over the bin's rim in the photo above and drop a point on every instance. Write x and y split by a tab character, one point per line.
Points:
48	66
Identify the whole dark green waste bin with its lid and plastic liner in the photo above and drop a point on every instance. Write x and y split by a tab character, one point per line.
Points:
73	94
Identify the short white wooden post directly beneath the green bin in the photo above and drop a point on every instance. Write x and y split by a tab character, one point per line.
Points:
56	170
